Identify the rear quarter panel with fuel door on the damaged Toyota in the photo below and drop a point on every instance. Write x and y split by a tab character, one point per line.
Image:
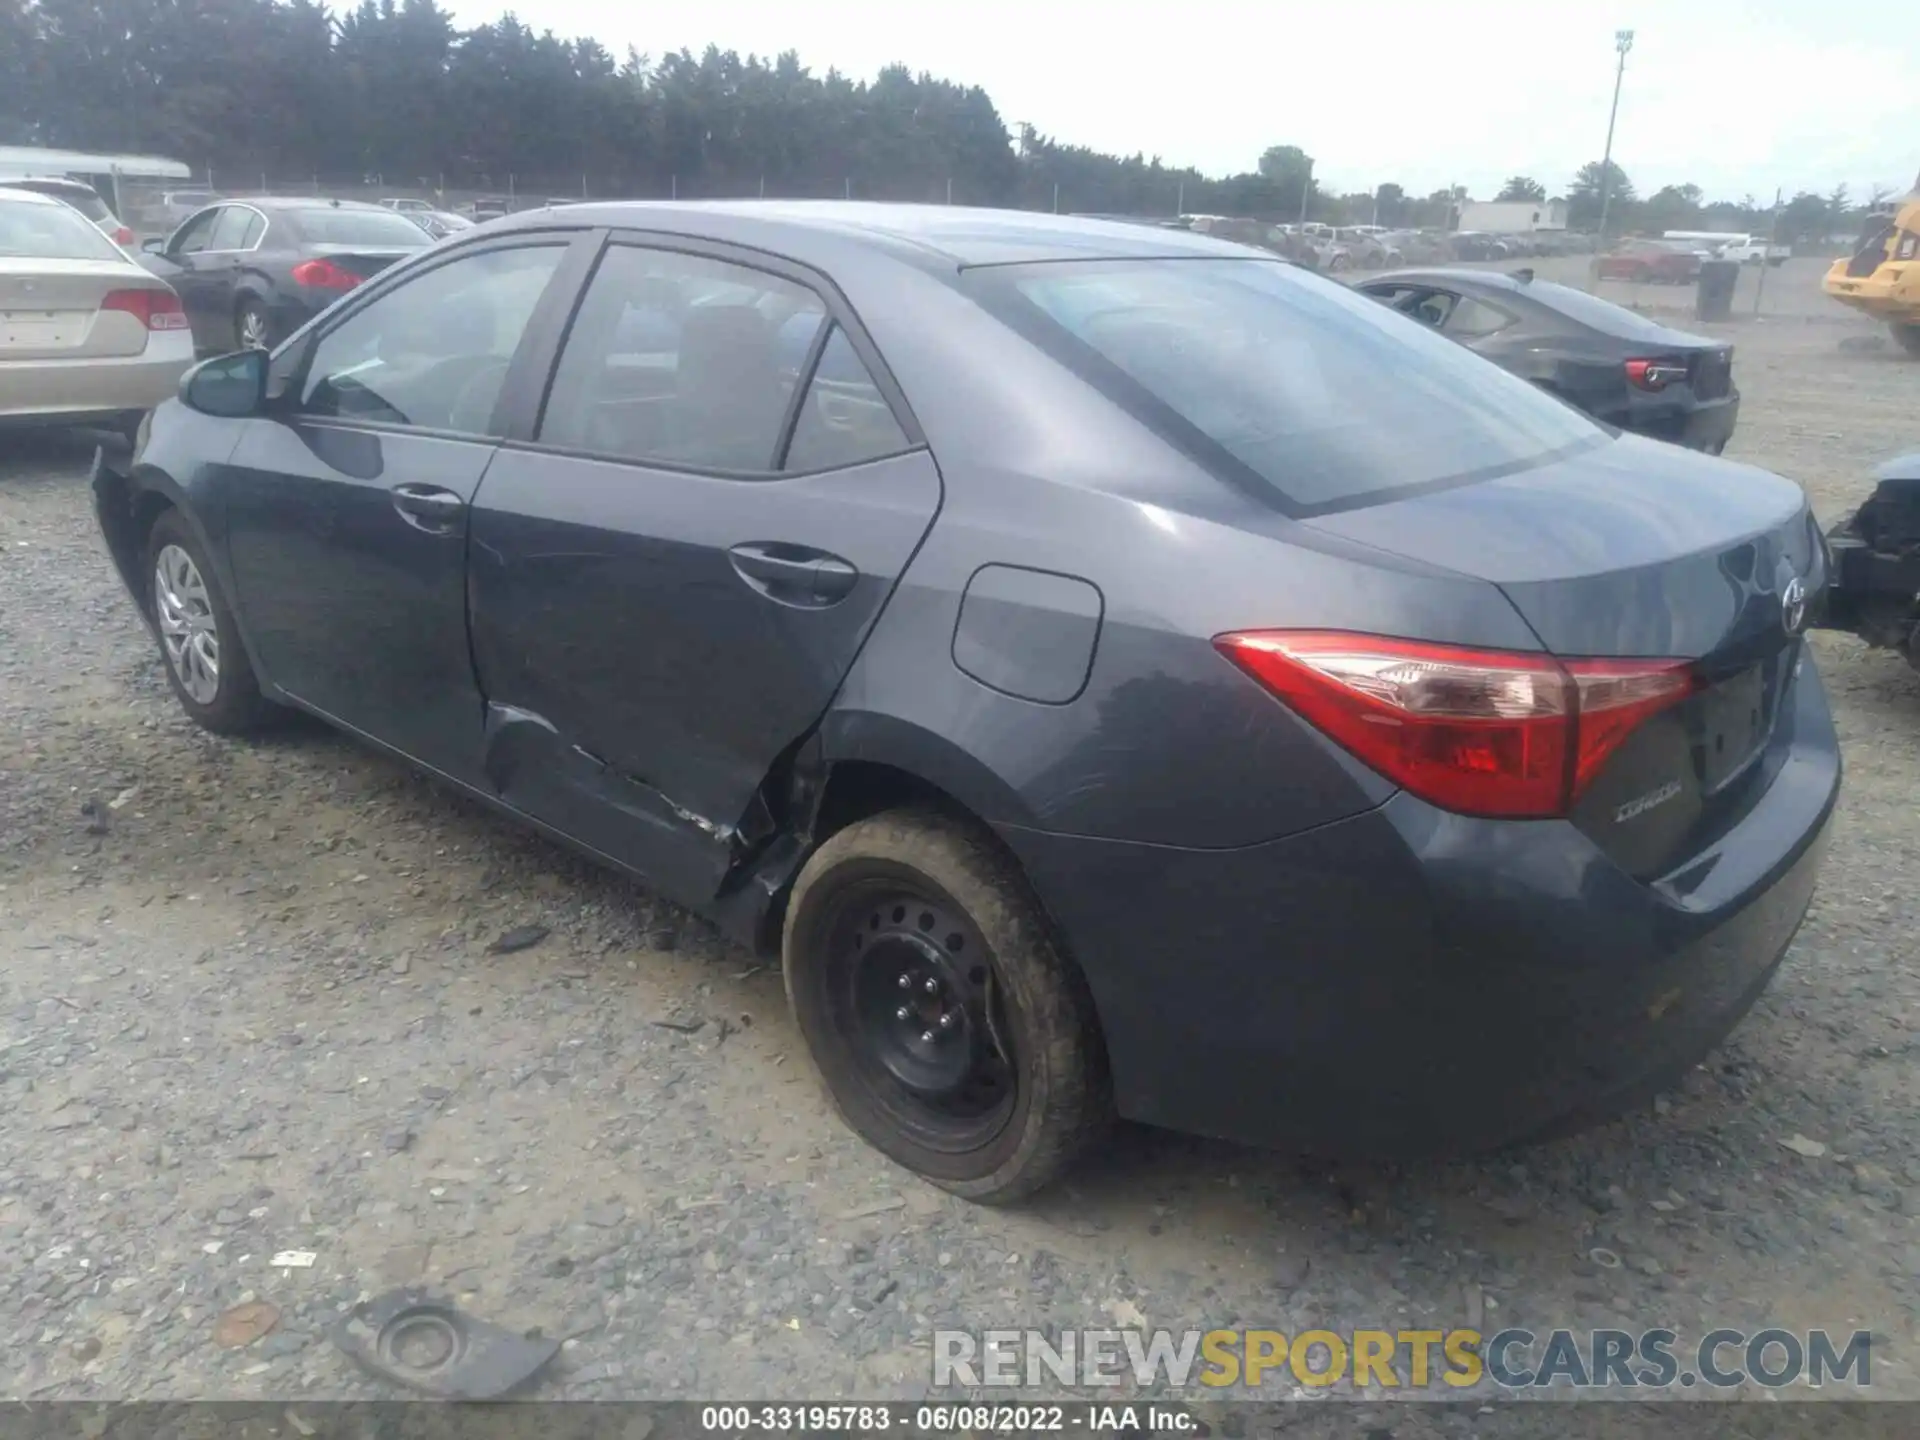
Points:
1163	740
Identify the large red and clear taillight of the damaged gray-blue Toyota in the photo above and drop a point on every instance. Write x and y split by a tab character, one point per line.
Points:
1477	732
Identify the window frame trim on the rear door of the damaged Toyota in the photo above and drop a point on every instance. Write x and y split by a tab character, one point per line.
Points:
840	312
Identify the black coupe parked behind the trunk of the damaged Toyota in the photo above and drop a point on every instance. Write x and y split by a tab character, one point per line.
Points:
1612	362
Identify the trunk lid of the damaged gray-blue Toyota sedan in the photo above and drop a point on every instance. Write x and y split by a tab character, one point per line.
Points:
1652	552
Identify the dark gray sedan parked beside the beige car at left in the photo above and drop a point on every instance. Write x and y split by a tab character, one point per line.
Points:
252	272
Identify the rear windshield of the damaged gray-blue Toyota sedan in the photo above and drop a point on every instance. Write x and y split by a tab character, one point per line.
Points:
1310	389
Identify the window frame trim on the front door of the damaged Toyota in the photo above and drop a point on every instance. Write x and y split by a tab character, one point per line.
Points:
523	370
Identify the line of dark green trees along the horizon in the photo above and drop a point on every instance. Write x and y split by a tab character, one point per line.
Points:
395	93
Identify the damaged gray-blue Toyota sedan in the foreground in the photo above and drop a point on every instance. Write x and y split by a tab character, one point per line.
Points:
1111	669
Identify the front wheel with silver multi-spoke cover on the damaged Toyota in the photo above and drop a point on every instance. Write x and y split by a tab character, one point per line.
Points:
199	640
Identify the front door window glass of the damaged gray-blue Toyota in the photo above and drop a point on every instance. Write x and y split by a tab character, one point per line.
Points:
433	352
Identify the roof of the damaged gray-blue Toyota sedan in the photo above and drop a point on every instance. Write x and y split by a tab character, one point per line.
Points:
951	235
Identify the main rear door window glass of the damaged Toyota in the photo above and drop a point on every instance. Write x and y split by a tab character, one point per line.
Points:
683	360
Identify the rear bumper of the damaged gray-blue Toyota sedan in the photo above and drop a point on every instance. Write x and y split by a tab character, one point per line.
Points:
1410	982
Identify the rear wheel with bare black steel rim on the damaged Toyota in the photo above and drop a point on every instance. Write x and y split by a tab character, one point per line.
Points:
946	1026
